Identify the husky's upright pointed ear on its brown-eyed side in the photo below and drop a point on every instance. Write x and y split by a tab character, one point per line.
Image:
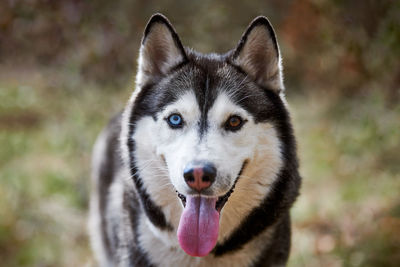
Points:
258	55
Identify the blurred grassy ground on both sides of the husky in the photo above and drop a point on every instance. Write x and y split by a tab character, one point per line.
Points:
348	213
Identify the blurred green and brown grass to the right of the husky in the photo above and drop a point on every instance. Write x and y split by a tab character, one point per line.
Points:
347	214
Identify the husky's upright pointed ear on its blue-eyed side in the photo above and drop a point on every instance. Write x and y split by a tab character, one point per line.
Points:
161	50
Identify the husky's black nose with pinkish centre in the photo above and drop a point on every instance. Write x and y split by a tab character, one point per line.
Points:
200	175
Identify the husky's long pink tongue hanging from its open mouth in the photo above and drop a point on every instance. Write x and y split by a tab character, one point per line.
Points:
199	225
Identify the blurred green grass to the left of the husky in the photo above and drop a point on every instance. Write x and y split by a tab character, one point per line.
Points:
46	135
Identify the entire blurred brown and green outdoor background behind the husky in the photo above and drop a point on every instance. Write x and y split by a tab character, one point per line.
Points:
67	66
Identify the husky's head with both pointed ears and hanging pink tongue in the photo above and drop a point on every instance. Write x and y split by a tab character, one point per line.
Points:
199	124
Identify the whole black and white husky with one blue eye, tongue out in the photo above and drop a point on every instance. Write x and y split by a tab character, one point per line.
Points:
200	169
